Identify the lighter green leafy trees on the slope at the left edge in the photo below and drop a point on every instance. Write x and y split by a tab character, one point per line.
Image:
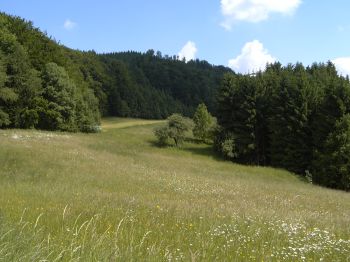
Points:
41	83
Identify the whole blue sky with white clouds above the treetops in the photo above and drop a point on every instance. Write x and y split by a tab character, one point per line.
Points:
241	34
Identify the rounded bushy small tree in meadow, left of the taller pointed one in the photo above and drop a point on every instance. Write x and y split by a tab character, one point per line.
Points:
176	129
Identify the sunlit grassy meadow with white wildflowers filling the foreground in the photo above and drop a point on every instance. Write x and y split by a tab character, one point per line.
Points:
116	196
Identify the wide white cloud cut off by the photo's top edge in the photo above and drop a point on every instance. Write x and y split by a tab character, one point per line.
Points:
254	10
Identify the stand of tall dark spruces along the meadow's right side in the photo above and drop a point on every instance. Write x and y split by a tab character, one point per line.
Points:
293	117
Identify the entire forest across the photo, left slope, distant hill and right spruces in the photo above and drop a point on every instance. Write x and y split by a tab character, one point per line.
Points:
293	117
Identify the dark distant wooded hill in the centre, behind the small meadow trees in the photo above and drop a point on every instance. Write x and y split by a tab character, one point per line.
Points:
160	84
